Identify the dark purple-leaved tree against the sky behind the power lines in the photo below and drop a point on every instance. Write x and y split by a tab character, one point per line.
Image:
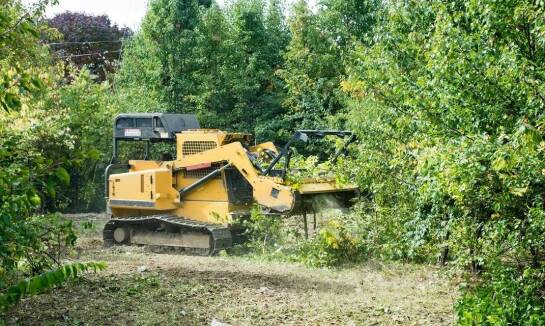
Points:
88	40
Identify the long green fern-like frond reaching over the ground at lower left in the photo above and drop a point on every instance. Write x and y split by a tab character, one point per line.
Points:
45	281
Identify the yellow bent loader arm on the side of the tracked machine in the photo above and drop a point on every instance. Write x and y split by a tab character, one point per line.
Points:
266	190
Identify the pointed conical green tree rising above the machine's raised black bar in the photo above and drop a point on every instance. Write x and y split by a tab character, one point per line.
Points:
312	72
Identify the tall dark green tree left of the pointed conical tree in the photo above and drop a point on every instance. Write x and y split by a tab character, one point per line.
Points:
254	57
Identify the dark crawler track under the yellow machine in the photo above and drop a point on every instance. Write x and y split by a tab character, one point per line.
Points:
221	235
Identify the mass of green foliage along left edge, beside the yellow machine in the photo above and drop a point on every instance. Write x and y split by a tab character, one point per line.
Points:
53	134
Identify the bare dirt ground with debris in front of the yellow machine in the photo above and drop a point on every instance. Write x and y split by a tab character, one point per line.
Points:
144	288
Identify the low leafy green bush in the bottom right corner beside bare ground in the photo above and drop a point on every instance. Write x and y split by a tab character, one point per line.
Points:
504	297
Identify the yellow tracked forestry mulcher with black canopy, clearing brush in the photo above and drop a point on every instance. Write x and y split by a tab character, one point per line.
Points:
191	202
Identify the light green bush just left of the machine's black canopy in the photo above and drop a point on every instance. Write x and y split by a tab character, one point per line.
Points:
87	115
